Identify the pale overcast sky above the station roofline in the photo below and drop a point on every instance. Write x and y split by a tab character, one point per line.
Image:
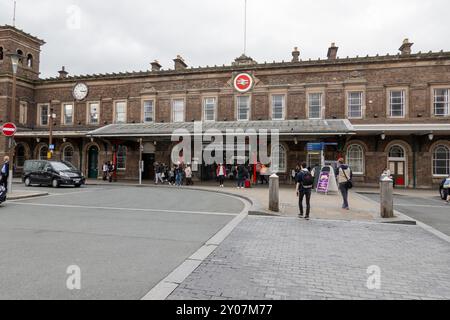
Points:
115	35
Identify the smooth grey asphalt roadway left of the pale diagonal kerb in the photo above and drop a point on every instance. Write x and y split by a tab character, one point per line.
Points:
124	239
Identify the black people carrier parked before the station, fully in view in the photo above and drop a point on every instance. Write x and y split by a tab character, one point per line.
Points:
51	173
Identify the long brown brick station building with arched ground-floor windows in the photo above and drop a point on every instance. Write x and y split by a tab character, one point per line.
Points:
376	111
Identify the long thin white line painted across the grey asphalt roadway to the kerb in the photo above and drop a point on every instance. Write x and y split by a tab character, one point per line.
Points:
123	209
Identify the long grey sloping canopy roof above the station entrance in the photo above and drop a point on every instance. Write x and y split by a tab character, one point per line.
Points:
288	127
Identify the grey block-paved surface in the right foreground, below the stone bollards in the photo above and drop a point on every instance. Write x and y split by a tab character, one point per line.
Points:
288	258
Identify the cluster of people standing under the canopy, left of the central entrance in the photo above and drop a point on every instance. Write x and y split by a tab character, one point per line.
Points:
177	175
